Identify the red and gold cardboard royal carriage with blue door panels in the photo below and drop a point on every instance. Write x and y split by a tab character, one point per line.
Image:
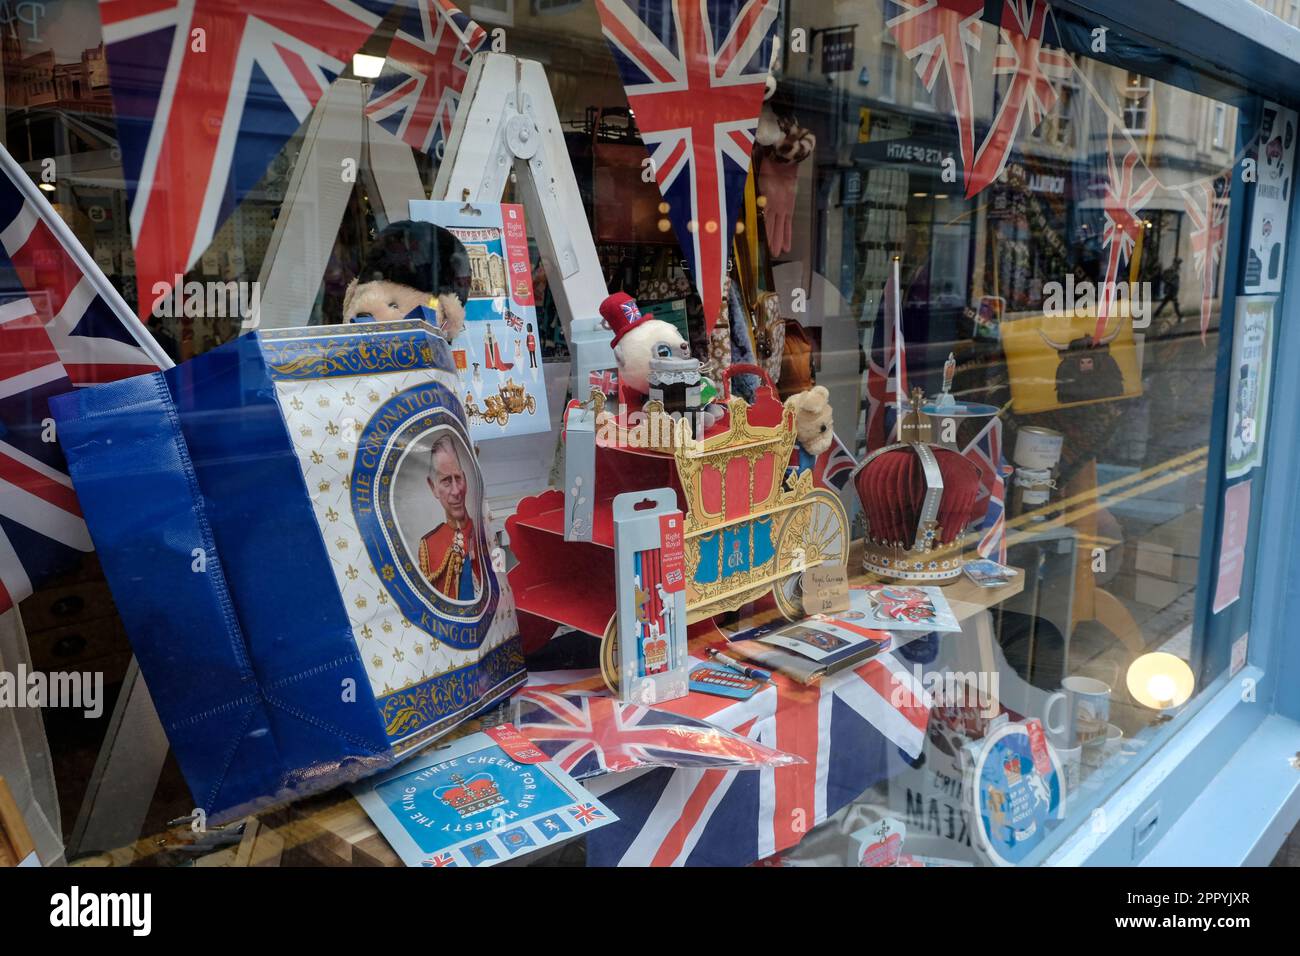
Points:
753	524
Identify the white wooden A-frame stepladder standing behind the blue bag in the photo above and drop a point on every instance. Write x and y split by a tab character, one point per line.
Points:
506	123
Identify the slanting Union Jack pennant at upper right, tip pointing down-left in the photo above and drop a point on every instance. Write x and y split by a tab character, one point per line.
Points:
1035	72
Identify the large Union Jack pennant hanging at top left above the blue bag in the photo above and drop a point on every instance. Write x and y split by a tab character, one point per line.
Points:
206	94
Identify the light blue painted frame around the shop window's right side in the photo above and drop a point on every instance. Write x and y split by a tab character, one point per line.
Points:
1240	40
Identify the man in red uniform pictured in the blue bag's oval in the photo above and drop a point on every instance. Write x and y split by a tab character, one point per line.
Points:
449	555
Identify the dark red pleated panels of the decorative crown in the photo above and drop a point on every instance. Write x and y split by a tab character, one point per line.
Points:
892	490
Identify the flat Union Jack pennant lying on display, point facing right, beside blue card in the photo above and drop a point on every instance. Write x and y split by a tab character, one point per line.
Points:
599	736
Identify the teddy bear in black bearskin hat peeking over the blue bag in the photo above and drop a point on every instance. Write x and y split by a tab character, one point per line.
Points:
411	265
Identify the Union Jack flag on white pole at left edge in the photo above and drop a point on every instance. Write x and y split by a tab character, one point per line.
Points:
62	326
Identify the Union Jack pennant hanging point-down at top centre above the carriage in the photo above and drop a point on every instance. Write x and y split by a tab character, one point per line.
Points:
695	77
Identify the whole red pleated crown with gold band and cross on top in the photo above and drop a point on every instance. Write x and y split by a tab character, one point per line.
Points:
917	498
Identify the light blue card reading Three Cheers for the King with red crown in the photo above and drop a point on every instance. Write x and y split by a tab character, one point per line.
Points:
487	799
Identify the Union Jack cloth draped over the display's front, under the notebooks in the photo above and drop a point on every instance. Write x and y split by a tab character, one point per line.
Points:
850	730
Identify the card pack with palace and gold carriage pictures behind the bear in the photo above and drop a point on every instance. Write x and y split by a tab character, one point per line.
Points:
499	353
